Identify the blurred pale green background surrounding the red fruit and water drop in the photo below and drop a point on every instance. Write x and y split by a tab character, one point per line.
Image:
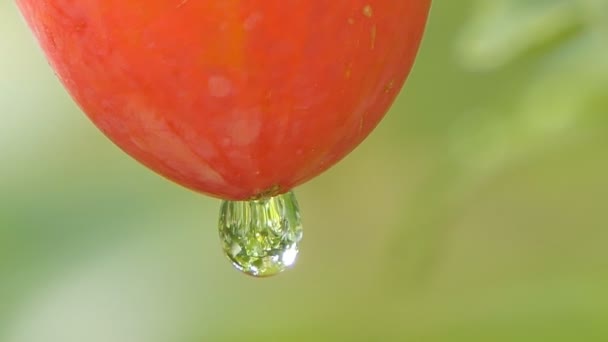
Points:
477	211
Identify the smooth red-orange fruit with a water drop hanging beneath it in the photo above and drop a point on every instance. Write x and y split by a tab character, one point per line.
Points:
236	99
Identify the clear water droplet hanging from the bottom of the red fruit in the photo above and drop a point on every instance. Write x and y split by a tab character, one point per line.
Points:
261	237
